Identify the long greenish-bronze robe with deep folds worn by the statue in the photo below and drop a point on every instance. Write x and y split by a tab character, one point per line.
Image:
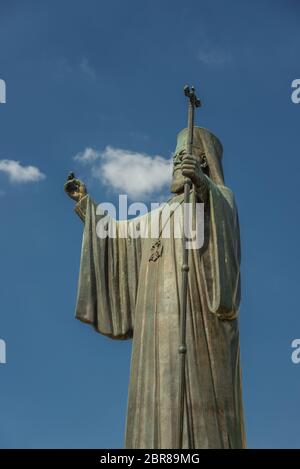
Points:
124	295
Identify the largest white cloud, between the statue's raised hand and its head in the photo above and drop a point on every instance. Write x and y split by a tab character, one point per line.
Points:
133	173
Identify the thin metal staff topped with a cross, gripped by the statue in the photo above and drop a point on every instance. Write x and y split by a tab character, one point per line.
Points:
193	102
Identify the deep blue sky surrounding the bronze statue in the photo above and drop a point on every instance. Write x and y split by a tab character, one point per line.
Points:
98	74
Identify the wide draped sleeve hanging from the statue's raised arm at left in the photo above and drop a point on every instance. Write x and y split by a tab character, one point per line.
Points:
108	277
